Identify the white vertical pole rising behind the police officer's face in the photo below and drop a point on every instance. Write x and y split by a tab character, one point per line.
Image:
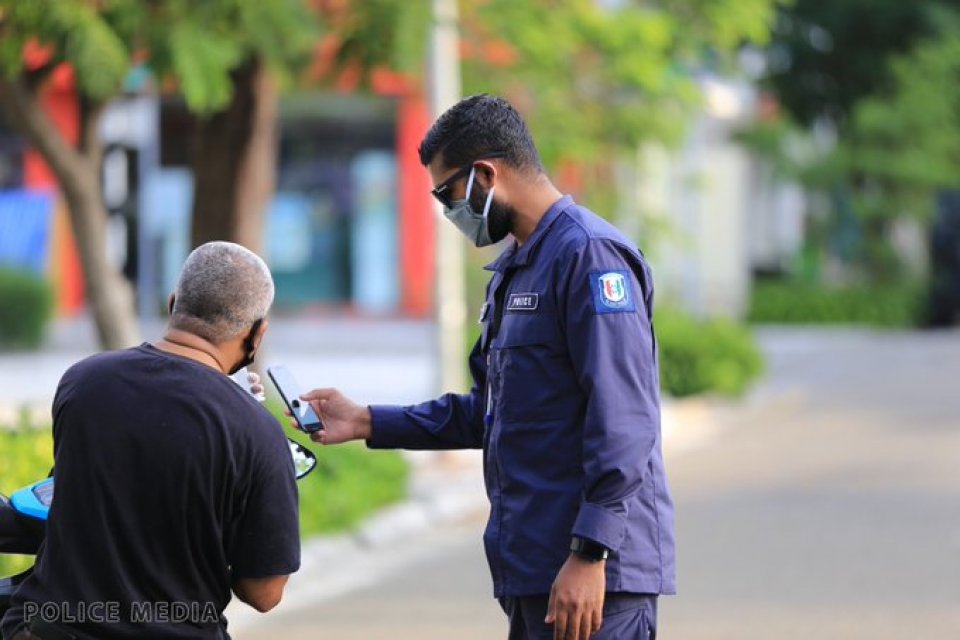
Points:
451	309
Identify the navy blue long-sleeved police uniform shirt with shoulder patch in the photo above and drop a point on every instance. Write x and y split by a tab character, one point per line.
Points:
565	404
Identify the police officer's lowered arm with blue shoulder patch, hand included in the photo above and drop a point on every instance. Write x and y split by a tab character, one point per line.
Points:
610	339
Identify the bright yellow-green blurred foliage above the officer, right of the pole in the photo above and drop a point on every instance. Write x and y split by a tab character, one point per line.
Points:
594	79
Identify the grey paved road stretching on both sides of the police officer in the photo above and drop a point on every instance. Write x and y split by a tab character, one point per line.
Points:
825	507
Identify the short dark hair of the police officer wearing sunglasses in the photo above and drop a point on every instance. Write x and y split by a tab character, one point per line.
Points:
478	127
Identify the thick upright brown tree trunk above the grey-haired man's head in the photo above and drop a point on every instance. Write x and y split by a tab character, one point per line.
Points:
234	162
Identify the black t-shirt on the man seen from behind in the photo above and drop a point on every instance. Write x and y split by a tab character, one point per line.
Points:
170	481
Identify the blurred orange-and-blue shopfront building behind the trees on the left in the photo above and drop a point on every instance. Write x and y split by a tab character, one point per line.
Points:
347	175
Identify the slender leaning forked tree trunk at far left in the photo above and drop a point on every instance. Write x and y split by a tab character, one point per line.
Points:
78	174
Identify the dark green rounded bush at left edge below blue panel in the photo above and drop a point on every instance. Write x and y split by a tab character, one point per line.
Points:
26	305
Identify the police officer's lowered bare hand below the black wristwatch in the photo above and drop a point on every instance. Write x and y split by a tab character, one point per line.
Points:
576	600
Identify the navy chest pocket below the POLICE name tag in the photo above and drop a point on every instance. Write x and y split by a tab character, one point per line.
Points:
536	379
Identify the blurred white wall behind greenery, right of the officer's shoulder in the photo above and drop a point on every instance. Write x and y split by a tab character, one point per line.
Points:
708	212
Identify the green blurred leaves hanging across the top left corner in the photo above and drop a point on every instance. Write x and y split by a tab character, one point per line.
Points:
197	44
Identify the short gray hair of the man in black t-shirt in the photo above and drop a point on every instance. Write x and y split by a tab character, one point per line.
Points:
223	289
